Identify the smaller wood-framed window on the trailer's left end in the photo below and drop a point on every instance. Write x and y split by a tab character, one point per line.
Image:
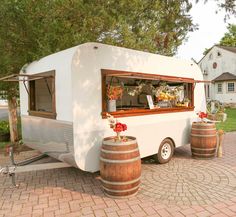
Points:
42	96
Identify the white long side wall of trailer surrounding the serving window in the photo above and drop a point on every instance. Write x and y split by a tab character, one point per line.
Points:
88	126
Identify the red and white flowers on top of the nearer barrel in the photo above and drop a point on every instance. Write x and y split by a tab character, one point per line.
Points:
117	127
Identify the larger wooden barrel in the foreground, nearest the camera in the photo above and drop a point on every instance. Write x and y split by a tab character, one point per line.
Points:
120	167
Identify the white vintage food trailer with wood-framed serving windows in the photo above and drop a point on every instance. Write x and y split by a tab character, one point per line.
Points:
63	102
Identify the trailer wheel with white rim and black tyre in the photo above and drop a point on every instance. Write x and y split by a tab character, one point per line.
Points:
165	151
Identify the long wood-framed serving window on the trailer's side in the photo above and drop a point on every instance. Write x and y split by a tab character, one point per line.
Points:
132	94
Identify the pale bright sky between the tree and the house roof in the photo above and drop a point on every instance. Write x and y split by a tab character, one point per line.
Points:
211	28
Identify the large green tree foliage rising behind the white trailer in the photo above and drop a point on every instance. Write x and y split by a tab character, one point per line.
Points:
31	29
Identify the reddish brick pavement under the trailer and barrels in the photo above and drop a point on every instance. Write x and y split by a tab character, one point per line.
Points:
183	187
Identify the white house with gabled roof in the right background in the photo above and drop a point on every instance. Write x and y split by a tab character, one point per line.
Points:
219	67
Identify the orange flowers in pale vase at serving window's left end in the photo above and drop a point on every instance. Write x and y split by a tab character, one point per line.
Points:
113	93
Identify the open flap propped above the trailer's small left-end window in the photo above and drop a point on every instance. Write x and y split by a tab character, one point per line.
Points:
24	77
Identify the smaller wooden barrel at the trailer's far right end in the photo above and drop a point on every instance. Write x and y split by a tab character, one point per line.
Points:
203	140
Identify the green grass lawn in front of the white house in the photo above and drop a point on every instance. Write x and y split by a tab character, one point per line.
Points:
230	124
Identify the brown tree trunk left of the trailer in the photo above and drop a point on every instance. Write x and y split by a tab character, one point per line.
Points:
12	107
